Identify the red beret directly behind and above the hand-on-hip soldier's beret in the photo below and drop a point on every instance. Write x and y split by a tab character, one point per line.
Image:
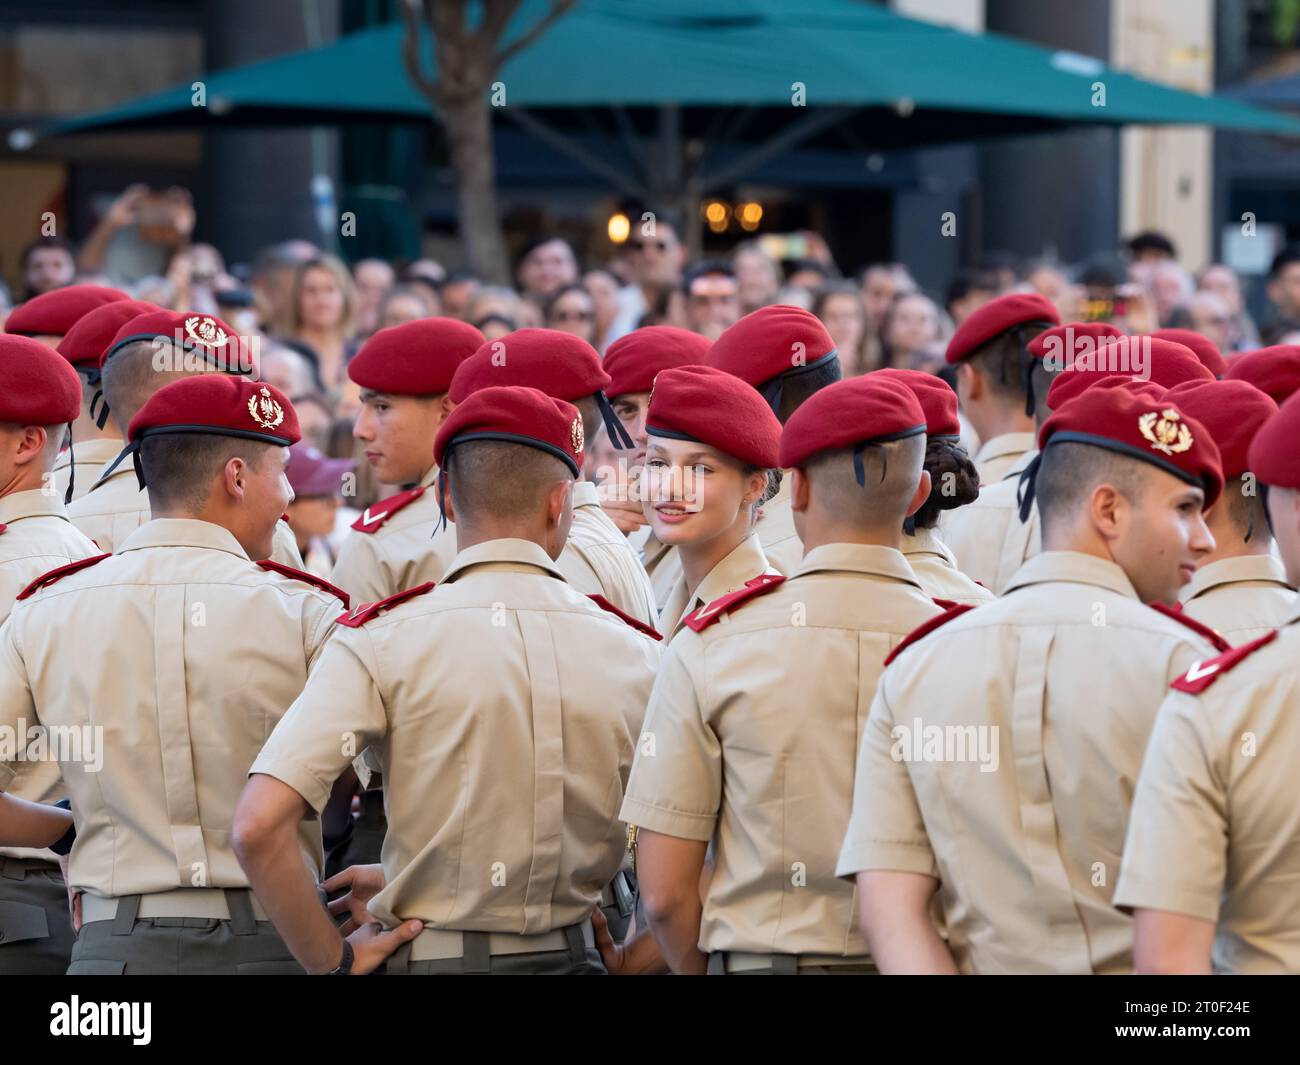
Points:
560	365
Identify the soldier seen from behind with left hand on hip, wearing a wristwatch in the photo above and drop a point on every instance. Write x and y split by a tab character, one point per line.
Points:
502	707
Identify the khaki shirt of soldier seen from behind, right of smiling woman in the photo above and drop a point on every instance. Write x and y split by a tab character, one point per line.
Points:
751	743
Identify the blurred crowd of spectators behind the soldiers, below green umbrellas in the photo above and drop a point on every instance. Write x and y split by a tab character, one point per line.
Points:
311	311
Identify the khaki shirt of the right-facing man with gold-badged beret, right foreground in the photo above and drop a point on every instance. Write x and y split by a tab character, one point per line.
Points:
1002	759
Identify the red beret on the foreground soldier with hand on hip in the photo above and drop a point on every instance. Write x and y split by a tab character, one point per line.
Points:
515	415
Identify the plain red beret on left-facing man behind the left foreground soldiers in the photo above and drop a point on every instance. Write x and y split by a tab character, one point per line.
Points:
417	358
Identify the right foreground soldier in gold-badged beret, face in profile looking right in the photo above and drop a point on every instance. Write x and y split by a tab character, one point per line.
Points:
1003	748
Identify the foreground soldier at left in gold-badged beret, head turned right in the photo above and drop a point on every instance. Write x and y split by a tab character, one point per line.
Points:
194	656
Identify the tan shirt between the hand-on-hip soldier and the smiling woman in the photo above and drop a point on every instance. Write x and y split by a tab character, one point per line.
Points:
599	561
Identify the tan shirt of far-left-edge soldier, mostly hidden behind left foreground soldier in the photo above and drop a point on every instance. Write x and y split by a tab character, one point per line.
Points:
36	539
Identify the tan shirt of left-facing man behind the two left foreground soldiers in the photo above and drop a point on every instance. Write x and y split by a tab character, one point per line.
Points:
405	552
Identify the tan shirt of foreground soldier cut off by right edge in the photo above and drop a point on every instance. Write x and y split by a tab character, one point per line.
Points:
1216	826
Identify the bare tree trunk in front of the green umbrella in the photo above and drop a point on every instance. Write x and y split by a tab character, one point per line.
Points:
469	120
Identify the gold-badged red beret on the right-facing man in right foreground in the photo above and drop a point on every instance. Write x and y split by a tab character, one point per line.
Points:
1132	422
